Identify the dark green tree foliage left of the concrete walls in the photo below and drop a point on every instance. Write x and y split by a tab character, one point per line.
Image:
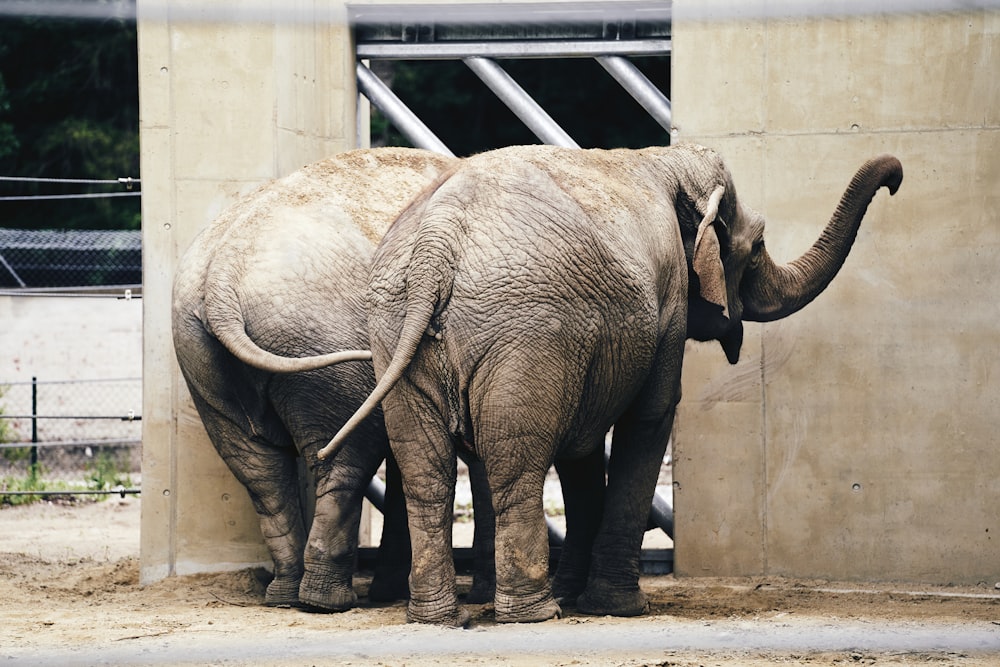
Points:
69	108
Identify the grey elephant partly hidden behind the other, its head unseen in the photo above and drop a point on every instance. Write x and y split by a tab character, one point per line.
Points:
283	272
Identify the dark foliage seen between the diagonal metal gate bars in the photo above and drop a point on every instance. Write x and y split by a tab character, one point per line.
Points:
579	95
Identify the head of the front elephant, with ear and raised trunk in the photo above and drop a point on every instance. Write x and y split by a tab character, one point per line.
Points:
732	277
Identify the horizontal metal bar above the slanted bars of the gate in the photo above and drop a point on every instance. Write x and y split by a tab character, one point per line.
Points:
512	49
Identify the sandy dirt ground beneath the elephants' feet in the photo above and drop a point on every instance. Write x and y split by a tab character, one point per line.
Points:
69	595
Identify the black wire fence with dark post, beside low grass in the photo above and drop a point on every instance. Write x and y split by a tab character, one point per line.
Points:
70	437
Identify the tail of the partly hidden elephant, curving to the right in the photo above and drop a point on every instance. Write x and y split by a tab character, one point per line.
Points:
225	320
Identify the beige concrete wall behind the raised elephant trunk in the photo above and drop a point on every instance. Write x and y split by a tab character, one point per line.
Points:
858	438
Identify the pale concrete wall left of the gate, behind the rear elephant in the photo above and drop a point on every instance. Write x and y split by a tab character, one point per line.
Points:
224	106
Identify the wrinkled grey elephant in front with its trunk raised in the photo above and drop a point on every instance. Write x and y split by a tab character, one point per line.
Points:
538	296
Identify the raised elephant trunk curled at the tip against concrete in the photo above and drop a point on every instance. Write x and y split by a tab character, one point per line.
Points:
770	291
